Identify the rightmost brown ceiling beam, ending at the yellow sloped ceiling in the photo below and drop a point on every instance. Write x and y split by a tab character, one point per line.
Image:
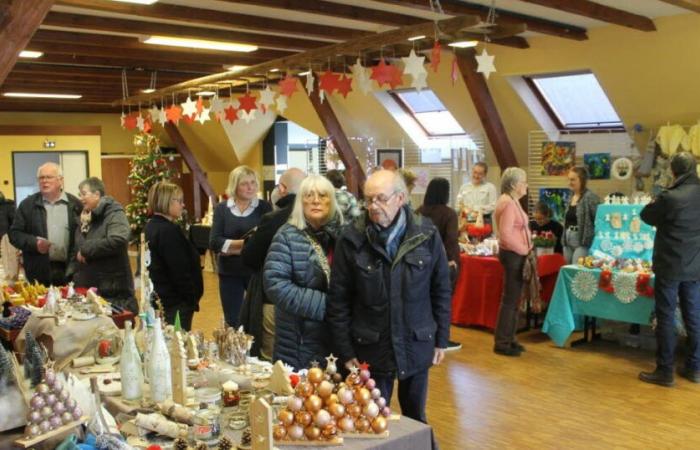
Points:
600	12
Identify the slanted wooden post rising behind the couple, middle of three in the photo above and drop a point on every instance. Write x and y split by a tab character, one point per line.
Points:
354	175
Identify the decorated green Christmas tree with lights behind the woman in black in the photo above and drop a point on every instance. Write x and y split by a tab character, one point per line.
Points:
148	167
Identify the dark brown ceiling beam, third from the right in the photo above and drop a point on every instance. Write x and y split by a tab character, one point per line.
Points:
338	10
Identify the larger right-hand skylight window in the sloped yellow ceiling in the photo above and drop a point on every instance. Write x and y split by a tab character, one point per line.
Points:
575	101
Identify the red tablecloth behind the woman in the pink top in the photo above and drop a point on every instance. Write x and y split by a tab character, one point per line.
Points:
478	291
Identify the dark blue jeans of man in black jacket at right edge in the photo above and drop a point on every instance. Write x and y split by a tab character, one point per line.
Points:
667	293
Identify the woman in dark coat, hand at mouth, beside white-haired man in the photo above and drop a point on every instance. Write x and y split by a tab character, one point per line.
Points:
102	241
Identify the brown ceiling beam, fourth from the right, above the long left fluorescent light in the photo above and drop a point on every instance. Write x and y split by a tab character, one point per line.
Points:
205	17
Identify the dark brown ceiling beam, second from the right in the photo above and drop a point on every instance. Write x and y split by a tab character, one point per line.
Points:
456	7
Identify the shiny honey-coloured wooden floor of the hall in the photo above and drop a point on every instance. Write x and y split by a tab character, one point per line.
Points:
550	398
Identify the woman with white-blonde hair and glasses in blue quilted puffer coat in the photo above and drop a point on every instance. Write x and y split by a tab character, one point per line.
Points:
297	274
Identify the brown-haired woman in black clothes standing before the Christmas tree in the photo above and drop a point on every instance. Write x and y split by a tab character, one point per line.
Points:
175	267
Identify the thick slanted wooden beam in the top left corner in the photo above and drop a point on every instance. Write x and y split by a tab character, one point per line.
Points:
19	24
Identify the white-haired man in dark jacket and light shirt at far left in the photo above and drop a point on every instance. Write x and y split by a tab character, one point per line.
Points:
44	228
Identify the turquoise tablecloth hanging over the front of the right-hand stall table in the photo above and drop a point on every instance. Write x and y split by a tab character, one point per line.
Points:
560	321
